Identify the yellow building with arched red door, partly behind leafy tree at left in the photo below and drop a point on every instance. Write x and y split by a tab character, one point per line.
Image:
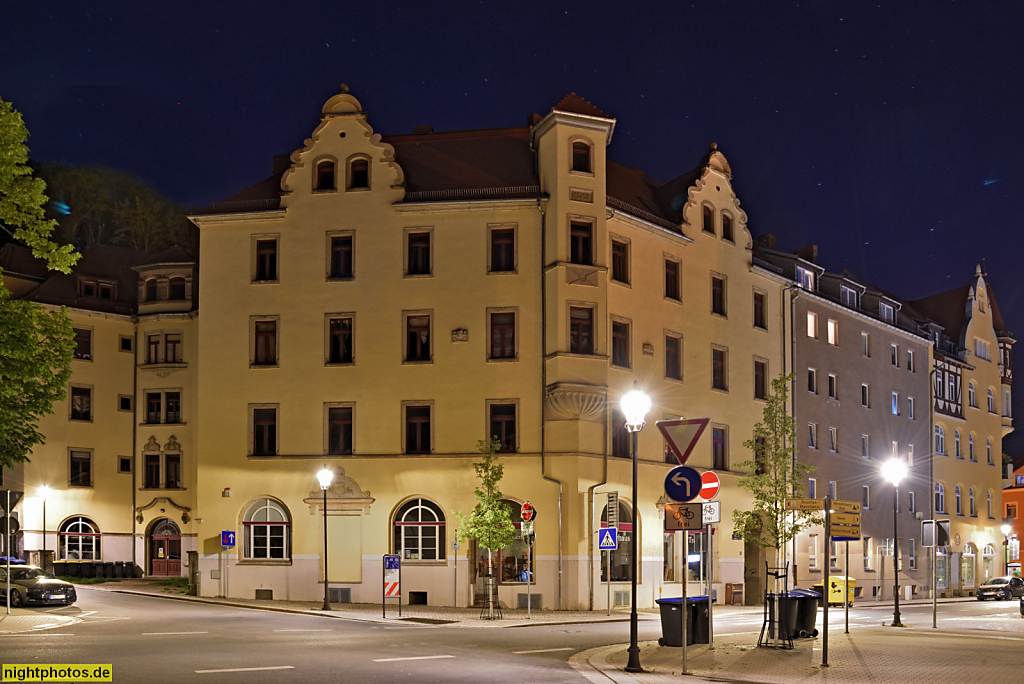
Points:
119	457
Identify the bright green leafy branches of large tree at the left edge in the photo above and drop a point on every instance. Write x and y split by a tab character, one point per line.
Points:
36	344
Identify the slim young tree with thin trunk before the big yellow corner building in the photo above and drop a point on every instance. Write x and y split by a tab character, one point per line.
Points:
490	524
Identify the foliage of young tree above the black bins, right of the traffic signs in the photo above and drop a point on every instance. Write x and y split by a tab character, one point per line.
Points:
774	476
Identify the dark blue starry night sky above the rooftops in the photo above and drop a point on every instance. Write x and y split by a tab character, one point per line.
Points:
891	135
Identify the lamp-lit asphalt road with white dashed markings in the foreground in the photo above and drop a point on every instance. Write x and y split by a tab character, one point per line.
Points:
152	639
